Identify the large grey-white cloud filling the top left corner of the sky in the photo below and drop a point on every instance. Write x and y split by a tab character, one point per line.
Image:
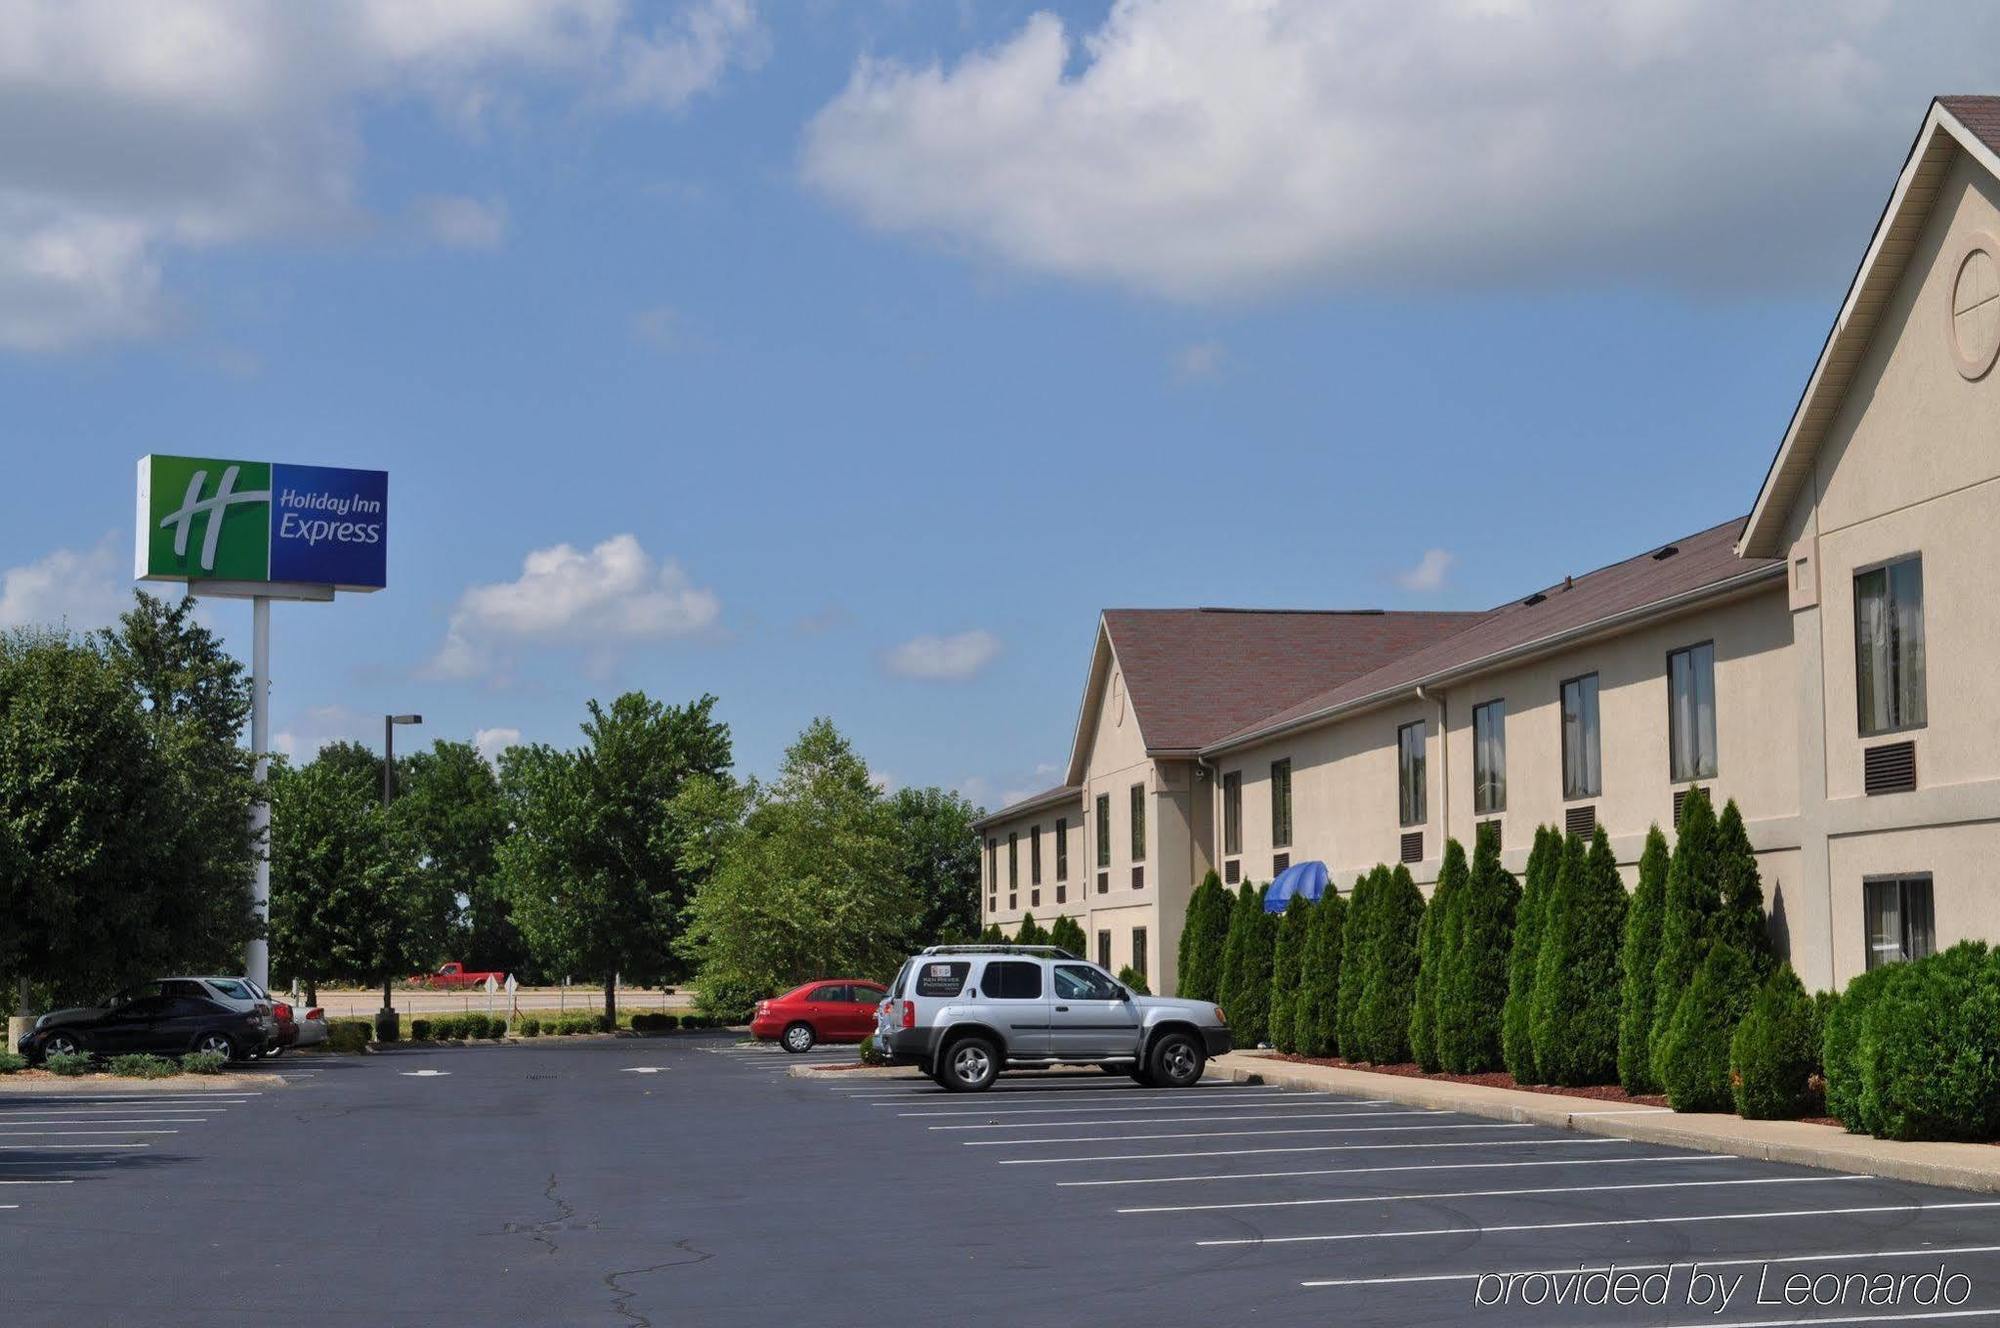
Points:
153	129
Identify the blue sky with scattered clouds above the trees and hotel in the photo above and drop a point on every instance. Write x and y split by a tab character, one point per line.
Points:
861	353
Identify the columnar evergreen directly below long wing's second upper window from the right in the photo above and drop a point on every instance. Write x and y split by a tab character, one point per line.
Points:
1575	1013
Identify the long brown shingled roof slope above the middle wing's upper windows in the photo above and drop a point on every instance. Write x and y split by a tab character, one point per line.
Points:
1597	599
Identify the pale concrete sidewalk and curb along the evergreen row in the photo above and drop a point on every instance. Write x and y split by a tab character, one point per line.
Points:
1965	1167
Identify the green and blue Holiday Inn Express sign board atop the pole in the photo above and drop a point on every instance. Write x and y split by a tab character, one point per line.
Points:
203	519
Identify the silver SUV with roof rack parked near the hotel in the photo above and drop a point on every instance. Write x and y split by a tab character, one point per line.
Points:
967	1013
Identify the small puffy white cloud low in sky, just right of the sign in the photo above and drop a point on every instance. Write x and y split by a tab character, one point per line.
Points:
611	595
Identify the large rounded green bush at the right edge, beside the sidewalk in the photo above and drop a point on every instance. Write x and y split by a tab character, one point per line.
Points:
1931	1049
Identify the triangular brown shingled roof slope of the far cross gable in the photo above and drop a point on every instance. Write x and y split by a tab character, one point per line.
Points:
1197	675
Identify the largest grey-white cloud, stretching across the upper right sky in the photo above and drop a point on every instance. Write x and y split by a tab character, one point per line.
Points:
1215	149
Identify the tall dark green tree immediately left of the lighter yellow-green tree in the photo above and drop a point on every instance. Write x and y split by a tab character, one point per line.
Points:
595	865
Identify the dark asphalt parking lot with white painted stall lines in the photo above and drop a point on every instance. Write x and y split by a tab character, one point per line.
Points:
691	1181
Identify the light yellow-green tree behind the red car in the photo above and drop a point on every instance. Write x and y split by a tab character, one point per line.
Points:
807	885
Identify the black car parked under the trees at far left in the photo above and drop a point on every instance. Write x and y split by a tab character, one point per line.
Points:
169	1017
